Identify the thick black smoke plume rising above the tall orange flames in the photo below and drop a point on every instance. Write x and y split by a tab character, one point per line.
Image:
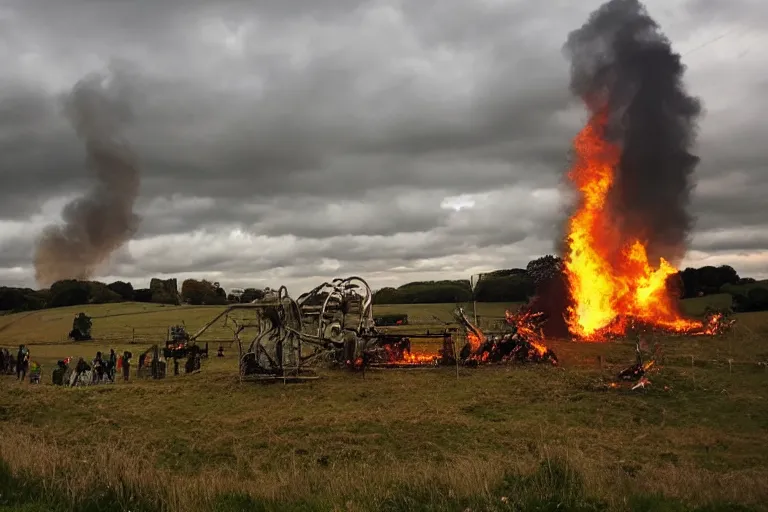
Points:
622	66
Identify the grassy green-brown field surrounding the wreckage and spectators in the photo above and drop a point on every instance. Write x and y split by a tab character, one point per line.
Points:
494	438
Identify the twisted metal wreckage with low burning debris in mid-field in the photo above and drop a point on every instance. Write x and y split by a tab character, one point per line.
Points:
280	338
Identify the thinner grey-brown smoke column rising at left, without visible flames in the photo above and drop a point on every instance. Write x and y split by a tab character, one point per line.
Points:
102	220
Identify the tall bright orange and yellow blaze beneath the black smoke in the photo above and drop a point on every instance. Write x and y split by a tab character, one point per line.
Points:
610	286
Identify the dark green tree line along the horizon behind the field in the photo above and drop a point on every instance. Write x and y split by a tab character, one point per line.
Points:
510	285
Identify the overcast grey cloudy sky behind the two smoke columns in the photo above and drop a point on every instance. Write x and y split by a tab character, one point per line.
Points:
291	141
